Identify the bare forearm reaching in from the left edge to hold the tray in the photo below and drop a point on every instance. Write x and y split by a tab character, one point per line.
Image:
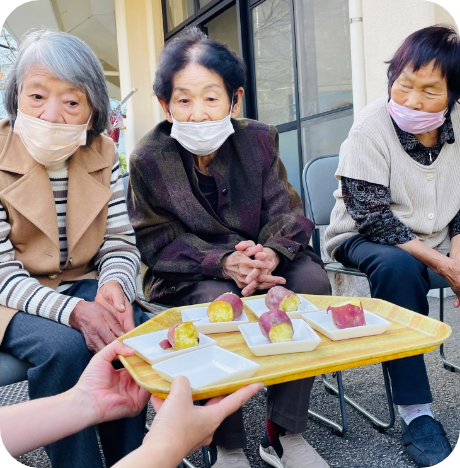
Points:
36	423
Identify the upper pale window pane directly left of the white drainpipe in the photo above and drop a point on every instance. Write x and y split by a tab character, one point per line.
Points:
324	60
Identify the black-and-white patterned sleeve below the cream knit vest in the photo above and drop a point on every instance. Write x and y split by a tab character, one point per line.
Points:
369	206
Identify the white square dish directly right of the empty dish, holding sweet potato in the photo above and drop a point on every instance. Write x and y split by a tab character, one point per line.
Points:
304	339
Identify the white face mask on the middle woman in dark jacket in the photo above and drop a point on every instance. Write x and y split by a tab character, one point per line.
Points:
202	138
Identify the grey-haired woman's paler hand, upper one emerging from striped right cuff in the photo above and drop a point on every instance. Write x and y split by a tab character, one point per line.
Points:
112	297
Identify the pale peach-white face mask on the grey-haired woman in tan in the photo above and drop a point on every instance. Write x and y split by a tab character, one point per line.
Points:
49	143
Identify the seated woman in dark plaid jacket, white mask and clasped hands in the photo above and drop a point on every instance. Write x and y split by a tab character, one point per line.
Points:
213	212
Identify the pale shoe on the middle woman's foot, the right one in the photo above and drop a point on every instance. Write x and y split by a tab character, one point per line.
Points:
291	451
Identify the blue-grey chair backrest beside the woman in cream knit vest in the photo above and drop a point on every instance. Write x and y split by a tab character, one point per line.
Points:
319	184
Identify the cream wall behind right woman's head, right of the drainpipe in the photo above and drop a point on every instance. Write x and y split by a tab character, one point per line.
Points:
386	24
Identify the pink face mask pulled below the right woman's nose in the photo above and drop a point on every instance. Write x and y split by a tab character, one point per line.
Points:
414	121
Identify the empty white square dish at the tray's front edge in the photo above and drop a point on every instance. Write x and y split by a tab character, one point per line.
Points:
206	367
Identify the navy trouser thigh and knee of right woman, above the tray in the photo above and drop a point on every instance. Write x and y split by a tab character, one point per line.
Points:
394	275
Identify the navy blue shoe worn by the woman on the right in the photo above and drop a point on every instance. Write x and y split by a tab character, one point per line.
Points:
425	441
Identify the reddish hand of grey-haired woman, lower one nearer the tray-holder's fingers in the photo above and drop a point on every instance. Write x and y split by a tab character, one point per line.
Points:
98	325
